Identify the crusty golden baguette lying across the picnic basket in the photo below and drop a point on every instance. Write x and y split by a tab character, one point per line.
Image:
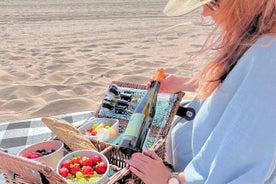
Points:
68	134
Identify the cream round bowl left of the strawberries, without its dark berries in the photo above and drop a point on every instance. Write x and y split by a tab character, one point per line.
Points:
51	159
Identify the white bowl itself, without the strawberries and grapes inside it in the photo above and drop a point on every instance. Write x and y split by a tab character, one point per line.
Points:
87	153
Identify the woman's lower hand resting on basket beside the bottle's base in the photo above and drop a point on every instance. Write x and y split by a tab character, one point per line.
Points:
149	167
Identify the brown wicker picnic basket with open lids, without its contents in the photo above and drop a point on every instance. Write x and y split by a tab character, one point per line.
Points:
22	170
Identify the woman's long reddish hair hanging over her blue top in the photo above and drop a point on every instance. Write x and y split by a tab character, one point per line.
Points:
244	22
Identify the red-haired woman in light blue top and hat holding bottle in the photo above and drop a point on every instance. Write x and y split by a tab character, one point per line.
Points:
233	136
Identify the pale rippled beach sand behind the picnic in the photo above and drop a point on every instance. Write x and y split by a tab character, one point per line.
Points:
60	56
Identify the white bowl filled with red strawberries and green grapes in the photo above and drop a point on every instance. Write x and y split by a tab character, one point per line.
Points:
84	166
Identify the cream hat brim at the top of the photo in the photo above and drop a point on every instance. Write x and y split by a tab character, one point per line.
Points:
182	7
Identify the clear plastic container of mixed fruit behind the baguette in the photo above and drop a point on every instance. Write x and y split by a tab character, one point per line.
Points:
102	129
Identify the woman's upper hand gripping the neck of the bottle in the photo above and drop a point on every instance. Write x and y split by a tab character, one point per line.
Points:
173	84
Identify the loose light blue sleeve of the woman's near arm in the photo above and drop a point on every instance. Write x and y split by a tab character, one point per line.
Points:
240	147
